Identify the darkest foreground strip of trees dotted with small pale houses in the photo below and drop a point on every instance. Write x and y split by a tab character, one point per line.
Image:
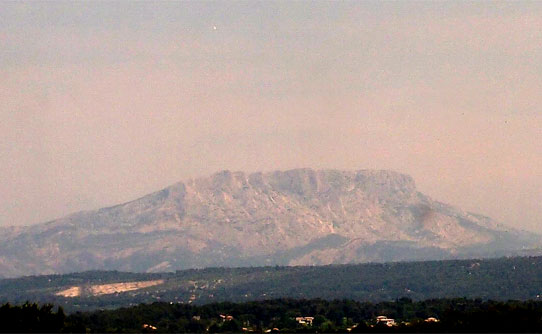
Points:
283	315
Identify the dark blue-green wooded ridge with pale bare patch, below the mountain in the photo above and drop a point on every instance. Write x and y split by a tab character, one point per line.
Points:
498	279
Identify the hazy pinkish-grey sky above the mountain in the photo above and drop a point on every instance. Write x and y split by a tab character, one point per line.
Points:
103	102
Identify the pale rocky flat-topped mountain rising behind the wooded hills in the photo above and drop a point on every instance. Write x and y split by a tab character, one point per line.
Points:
295	217
